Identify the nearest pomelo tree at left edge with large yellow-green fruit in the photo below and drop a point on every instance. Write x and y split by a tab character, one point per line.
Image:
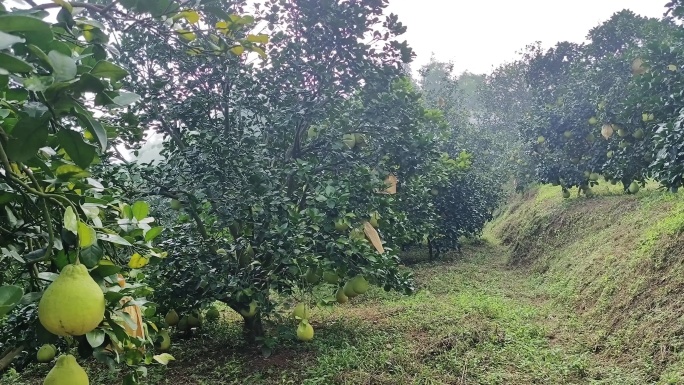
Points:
62	217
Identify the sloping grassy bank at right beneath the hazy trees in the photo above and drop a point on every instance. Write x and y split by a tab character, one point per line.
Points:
616	261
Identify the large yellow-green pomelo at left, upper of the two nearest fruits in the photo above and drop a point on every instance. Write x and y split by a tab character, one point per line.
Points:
73	304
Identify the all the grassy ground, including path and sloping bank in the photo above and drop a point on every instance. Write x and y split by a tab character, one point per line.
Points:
576	291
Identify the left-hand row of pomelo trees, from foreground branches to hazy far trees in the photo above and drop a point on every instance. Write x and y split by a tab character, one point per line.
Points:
285	125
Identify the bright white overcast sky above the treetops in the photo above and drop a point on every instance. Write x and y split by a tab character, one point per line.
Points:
476	35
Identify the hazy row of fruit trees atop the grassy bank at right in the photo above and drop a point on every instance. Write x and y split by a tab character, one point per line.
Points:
607	109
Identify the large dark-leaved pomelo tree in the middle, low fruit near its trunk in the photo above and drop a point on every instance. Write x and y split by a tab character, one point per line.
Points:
277	161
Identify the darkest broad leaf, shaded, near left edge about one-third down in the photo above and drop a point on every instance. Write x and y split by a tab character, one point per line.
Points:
27	136
